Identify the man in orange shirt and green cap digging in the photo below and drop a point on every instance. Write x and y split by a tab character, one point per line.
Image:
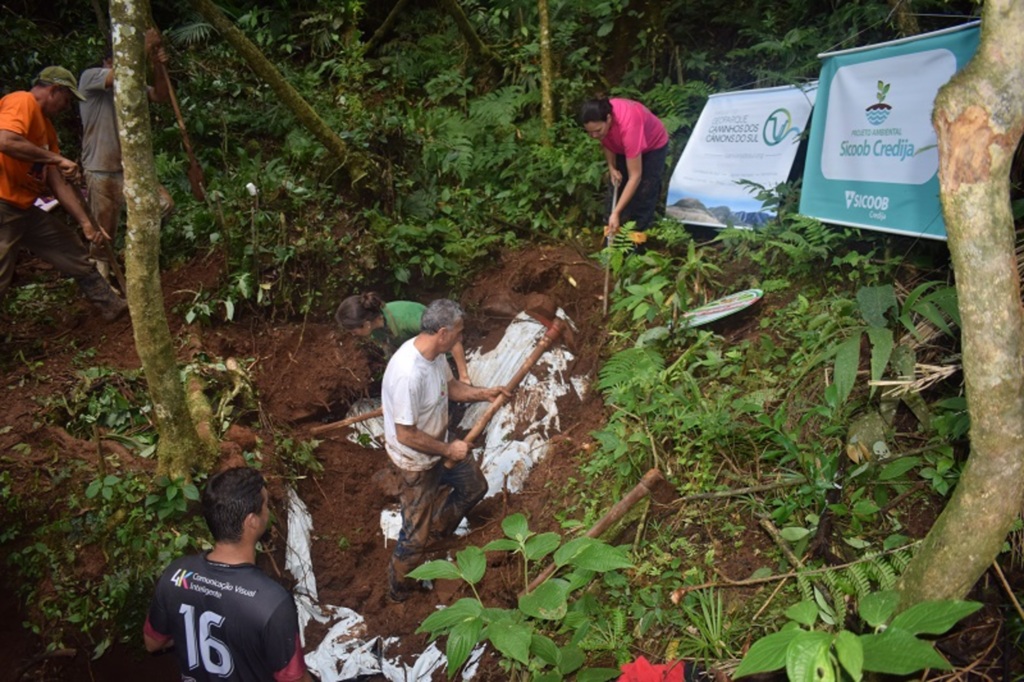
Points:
30	166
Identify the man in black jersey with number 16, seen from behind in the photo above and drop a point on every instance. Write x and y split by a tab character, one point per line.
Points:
227	619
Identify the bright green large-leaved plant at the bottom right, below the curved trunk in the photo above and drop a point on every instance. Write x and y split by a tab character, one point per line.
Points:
895	650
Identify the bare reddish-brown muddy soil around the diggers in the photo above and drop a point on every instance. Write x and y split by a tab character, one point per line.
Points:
306	374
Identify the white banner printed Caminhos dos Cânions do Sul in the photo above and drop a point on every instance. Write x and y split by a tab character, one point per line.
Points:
748	136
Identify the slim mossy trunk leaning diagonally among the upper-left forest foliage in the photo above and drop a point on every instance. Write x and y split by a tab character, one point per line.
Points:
355	163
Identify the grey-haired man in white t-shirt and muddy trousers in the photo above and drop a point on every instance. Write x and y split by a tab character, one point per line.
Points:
440	481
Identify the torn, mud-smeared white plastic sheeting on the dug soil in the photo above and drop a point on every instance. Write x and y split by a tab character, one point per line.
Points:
516	440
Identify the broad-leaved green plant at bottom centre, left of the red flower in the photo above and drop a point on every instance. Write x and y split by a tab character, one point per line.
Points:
524	635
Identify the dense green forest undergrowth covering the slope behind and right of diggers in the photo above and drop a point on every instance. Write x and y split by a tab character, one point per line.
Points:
463	167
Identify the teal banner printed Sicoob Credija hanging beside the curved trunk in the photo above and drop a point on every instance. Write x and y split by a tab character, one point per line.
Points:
872	158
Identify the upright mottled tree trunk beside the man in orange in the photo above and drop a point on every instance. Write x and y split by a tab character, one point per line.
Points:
181	450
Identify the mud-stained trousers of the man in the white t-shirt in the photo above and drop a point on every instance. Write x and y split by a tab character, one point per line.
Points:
434	503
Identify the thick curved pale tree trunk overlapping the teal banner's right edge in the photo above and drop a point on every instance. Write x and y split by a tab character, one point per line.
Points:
979	117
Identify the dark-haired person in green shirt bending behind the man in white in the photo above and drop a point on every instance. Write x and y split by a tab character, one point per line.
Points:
390	325
